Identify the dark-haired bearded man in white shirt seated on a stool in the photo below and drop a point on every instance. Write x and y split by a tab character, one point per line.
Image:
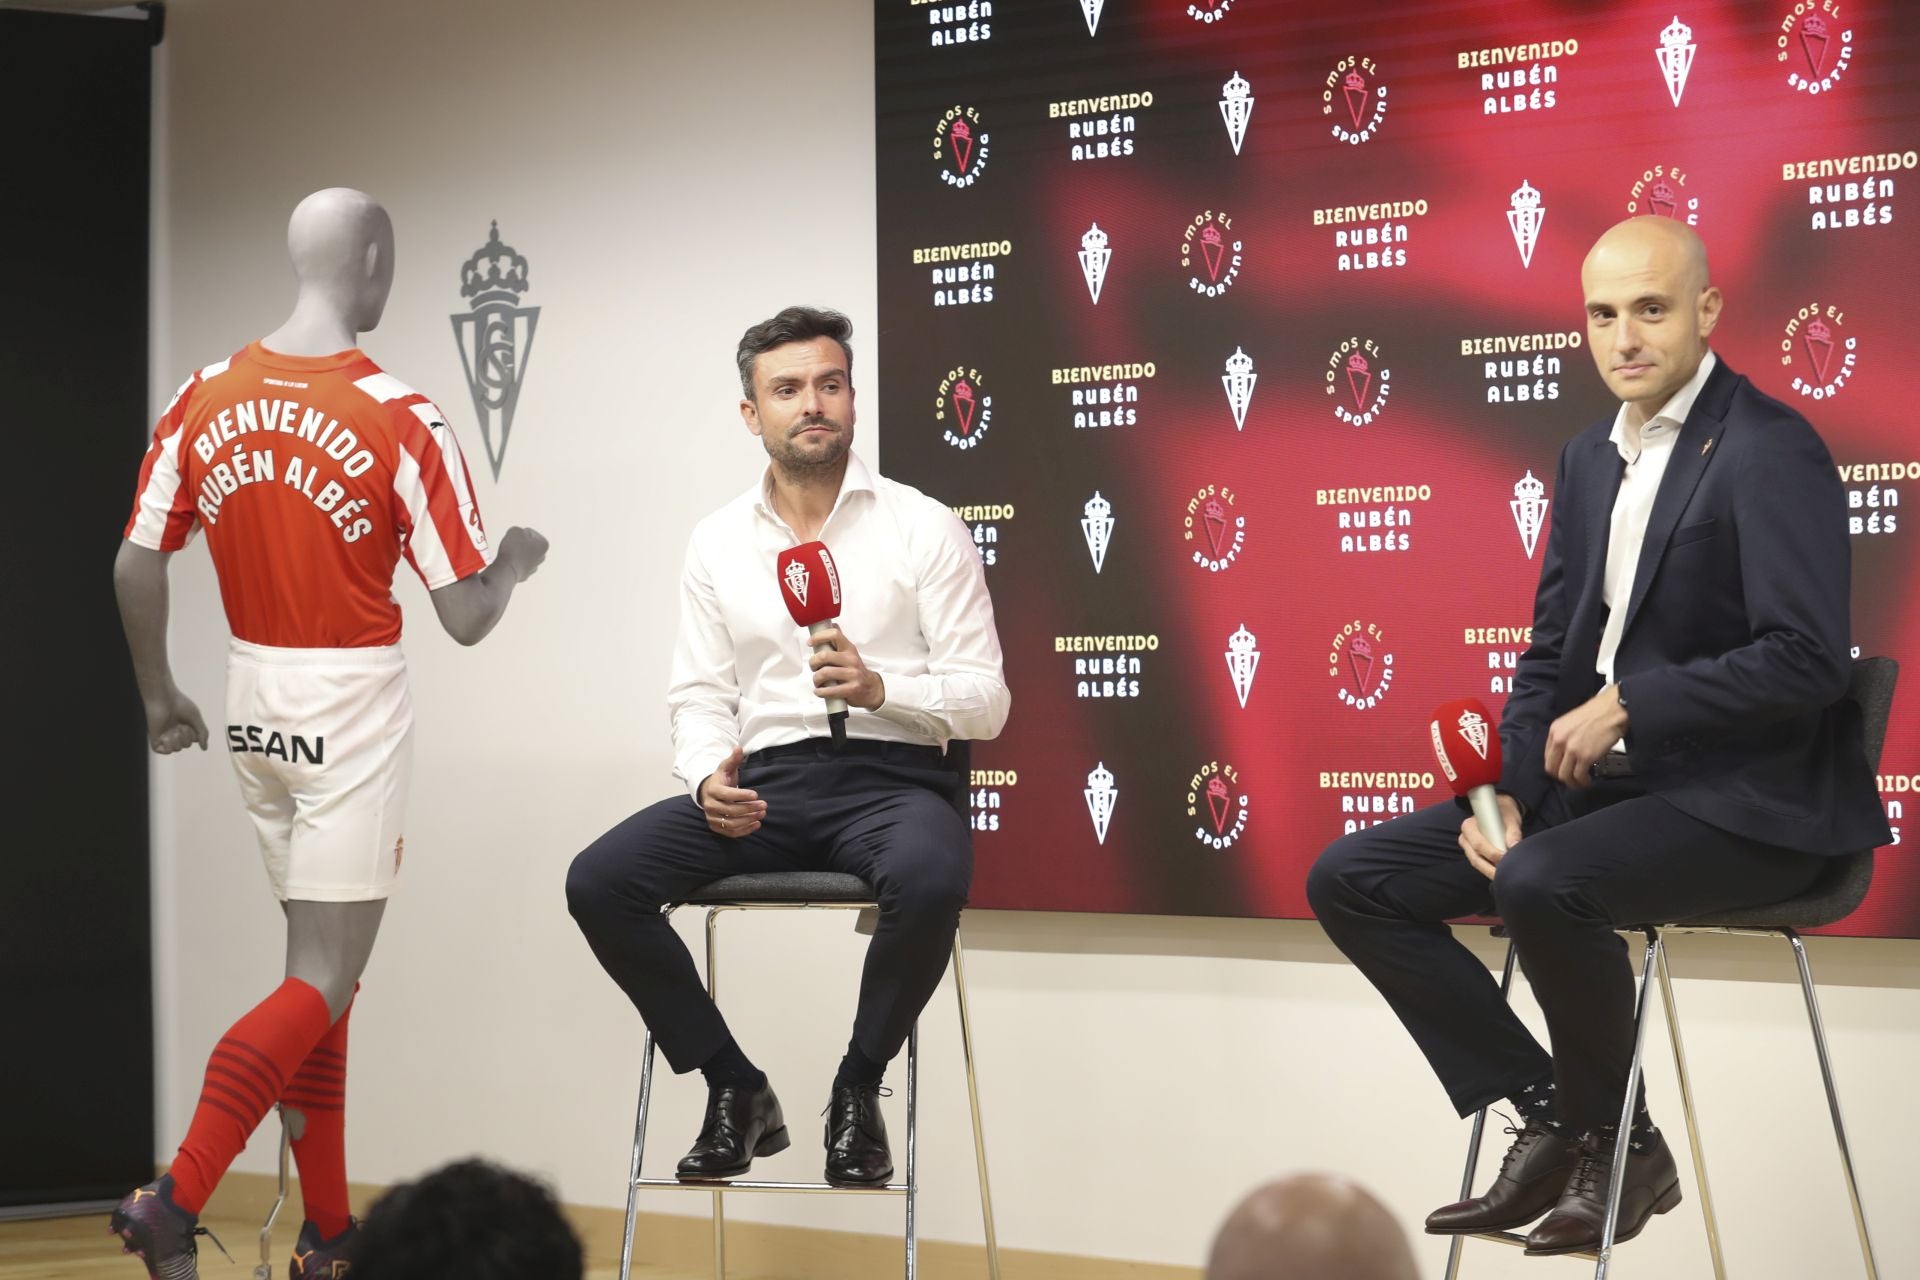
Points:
917	657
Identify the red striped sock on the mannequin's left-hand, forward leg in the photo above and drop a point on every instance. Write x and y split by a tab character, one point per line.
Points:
247	1076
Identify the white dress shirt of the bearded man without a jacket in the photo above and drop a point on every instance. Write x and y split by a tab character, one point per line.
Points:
915	607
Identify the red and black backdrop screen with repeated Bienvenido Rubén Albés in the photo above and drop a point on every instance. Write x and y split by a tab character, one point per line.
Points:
1614	122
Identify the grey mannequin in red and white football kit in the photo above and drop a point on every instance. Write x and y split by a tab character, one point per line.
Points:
316	663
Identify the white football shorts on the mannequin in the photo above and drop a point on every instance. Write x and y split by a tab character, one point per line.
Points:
324	746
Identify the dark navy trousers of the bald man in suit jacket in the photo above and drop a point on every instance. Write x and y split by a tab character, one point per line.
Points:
1600	859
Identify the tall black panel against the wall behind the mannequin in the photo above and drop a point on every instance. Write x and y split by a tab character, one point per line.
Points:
76	949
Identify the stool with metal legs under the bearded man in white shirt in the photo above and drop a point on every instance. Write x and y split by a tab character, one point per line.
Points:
802	891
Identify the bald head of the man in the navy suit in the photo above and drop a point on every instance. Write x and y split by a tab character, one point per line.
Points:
1650	310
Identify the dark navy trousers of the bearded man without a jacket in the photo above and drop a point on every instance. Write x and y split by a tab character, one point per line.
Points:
880	811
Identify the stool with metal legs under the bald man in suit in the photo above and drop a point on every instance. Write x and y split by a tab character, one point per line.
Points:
1831	899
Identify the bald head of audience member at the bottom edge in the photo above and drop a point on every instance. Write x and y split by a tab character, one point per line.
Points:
1310	1227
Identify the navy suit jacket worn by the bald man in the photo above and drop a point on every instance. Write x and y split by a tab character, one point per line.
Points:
1737	646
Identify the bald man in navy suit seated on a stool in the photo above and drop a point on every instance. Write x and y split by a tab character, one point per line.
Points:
1675	746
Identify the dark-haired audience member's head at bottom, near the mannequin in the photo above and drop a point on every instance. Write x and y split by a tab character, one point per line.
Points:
468	1221
